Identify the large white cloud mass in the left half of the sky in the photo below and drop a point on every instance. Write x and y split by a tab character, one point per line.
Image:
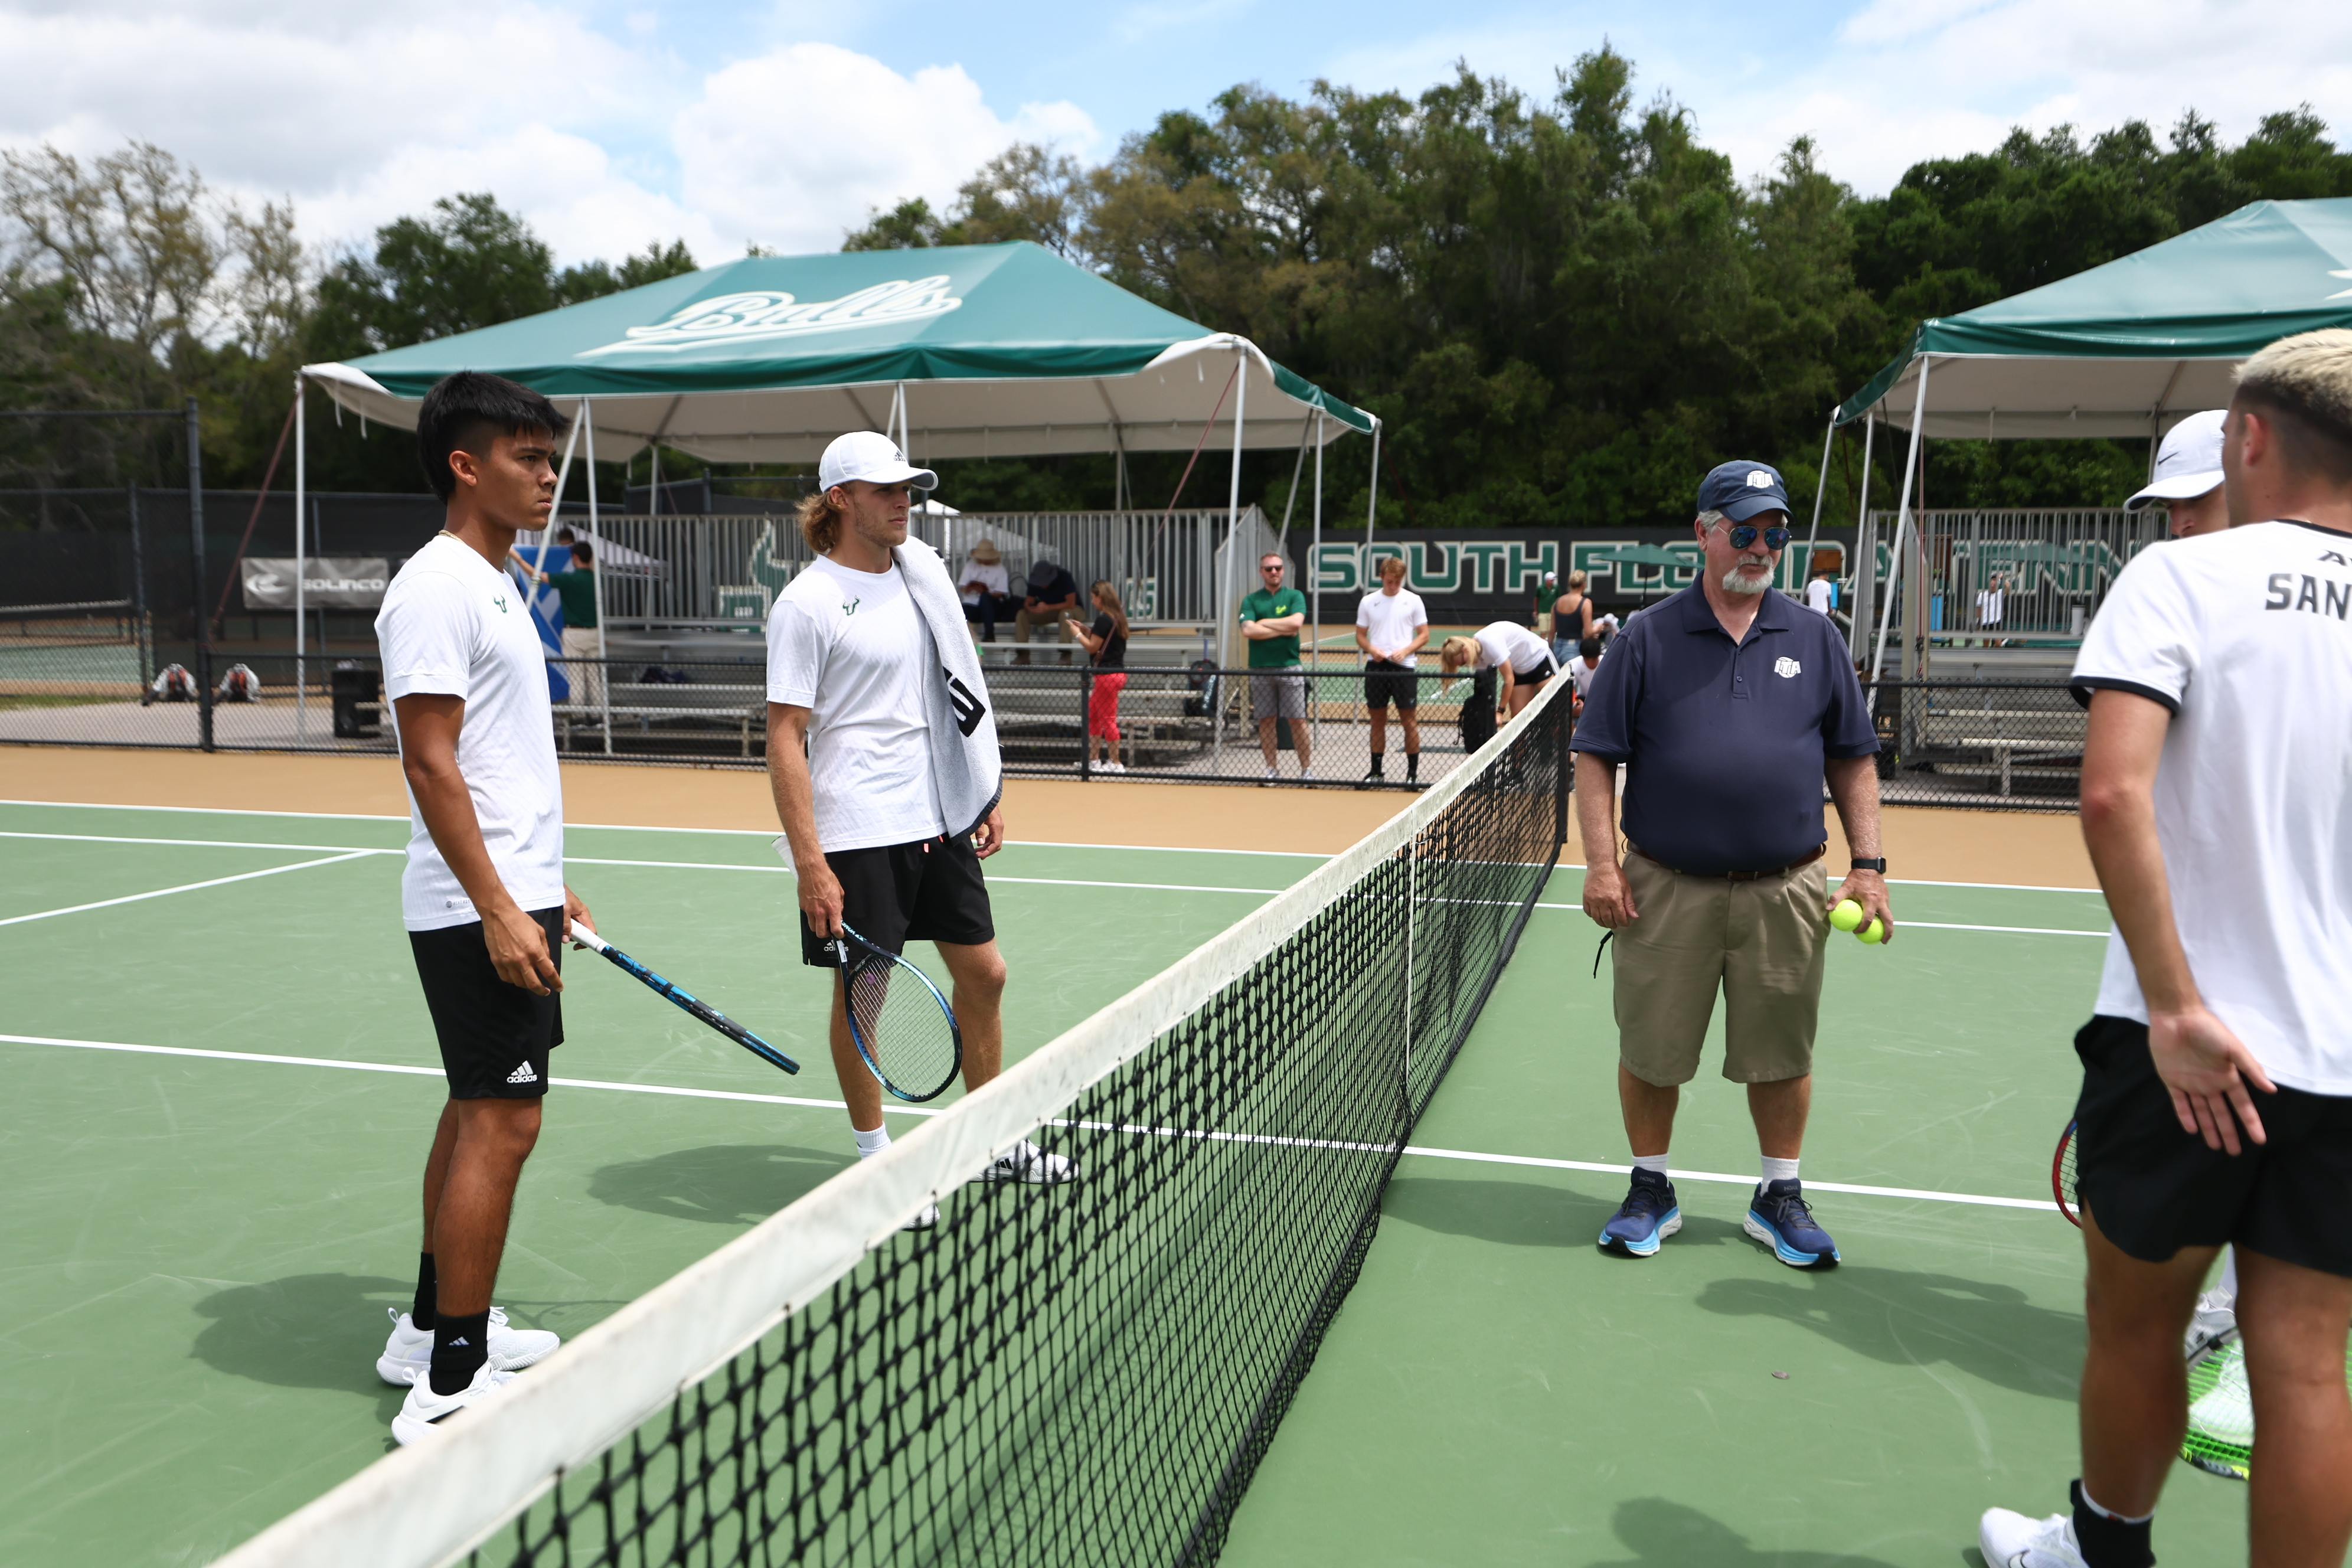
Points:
603	142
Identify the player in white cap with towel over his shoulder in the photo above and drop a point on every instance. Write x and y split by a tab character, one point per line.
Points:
850	760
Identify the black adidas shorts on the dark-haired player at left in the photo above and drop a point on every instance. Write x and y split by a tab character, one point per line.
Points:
495	1038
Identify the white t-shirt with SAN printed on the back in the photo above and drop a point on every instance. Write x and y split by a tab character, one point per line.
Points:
2245	636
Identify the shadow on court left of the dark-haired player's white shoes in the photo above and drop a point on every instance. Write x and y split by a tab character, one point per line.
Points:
307	1332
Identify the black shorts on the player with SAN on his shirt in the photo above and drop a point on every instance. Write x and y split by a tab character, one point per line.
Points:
2158	1188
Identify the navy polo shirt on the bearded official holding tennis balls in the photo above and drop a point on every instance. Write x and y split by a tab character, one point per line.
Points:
1725	742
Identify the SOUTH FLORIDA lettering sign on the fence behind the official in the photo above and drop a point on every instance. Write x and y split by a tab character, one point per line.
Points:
1504	575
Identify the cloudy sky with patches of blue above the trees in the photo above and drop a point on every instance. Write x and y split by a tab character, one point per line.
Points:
787	123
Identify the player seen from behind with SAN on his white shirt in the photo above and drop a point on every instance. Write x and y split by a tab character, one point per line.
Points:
2217	1101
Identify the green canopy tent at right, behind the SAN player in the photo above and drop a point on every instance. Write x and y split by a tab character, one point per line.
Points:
2125	349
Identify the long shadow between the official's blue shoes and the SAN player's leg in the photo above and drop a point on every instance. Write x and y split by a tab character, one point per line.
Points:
1909	1320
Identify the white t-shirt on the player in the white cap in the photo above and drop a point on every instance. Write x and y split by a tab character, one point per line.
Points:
853	650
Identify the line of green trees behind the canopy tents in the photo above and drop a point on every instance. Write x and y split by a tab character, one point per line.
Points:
1565	307
